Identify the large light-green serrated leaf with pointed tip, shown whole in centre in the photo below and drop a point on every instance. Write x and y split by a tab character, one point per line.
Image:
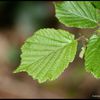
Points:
46	54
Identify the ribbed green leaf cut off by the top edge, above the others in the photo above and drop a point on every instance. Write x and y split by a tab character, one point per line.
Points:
80	14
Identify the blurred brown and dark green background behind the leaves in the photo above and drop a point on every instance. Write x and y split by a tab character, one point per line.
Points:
18	21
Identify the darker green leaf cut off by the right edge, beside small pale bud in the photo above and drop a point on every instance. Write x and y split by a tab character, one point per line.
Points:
92	56
